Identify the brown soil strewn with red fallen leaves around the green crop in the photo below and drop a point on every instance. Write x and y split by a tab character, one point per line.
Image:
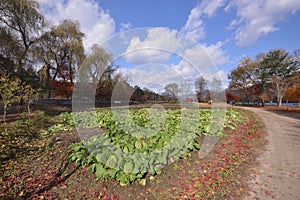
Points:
47	173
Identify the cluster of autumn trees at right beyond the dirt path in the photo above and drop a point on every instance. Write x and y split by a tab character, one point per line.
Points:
271	76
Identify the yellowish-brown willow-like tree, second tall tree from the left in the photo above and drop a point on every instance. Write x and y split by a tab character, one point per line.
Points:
62	46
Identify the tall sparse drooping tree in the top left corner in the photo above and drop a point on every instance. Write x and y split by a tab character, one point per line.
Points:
22	20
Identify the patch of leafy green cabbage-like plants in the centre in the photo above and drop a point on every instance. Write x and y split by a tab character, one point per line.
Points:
126	145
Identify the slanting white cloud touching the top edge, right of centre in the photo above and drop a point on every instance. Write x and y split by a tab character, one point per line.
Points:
194	26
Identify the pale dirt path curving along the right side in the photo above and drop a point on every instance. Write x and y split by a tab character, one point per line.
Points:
278	176
